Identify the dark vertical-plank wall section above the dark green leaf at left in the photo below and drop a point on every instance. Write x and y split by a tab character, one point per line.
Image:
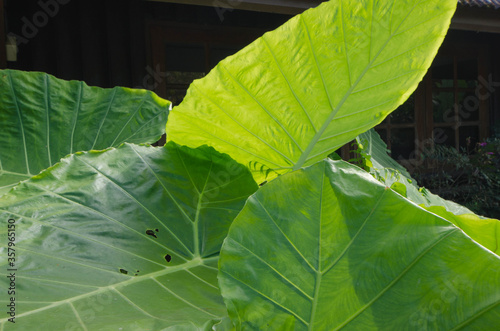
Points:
100	42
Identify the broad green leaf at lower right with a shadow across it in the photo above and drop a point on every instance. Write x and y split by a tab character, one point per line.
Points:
328	248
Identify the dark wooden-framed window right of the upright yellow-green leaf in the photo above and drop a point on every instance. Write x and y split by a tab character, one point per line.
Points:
448	108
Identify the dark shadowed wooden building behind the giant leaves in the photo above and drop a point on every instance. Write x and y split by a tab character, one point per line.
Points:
163	45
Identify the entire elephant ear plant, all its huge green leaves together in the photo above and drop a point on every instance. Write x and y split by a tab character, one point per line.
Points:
136	237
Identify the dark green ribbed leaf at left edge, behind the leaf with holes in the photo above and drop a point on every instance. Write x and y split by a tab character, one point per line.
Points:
43	119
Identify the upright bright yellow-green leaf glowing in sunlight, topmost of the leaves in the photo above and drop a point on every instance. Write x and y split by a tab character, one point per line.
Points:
298	93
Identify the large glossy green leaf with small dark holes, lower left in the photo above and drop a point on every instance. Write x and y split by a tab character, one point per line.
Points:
124	239
